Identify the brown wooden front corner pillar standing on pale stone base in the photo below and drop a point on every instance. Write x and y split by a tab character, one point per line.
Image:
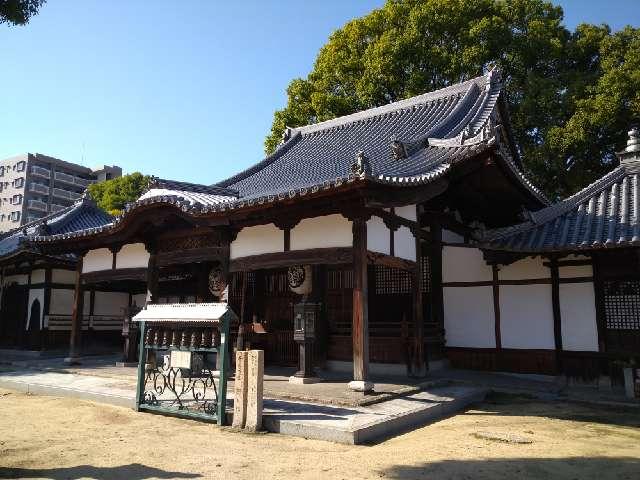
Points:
360	318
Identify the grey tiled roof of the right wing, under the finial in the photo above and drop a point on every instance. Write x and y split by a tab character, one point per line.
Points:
605	214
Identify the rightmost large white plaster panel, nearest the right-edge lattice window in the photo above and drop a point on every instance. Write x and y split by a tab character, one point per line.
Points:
578	313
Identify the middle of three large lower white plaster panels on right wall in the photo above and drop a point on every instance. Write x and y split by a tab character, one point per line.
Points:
526	316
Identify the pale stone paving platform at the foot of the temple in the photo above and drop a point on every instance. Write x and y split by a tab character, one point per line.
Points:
392	412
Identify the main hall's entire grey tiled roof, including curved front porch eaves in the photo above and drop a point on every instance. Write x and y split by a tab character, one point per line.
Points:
405	143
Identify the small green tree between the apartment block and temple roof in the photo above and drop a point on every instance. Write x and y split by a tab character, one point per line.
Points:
113	195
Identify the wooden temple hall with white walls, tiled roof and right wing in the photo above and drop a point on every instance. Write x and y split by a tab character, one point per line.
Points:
403	225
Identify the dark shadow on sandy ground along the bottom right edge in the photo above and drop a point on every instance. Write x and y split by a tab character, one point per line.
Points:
583	468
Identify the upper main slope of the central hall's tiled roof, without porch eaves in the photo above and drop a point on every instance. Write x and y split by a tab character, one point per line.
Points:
431	127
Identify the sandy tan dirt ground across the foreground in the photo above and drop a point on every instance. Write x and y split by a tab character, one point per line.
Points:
59	438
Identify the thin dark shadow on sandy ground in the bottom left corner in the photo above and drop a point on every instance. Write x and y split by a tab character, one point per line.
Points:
133	471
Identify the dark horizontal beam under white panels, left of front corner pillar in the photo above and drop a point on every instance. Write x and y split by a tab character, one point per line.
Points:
314	256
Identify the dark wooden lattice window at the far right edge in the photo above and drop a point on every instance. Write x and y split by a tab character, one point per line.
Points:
622	304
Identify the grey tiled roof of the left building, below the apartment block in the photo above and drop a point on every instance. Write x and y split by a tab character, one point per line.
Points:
82	215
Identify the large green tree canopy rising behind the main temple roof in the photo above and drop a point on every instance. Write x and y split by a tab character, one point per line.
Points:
571	95
